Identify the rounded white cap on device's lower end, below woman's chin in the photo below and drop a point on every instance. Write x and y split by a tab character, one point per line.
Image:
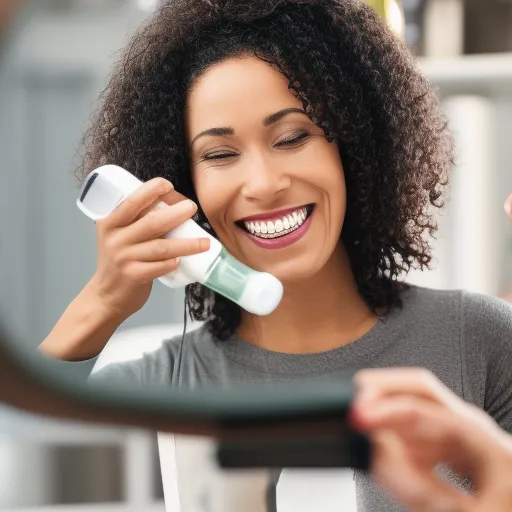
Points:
263	293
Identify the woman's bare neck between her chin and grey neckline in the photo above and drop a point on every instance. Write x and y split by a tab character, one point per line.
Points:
315	315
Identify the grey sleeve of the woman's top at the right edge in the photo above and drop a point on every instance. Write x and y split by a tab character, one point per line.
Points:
486	338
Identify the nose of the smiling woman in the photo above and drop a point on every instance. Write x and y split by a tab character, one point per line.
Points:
265	181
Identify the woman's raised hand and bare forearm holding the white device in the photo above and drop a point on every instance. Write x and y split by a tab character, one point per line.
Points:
131	254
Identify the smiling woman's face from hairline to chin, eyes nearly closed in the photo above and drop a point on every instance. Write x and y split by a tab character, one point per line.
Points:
270	184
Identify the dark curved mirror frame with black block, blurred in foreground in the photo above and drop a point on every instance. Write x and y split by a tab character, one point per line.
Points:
305	425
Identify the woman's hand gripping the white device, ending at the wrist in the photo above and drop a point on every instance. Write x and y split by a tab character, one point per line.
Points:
131	252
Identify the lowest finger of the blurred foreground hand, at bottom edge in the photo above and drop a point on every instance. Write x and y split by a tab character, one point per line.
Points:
418	490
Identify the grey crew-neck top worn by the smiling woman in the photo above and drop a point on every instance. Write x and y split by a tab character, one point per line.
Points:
464	339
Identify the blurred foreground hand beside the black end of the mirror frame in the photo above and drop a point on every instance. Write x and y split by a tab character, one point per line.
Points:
415	422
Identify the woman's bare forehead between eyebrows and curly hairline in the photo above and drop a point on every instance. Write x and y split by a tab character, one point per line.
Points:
242	89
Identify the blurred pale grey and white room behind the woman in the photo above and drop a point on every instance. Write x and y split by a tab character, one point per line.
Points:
54	59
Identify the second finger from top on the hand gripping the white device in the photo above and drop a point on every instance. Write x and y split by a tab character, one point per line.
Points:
159	222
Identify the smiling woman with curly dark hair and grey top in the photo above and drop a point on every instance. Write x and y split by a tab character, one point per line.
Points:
314	149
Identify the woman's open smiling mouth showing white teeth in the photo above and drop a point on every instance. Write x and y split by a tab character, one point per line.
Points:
278	226
